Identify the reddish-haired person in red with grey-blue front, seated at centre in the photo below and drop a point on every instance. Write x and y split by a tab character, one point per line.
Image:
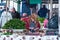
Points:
34	23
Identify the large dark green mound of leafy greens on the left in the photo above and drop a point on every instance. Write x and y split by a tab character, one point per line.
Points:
14	24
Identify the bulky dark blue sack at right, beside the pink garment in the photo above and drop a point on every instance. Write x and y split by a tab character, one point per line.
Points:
53	22
